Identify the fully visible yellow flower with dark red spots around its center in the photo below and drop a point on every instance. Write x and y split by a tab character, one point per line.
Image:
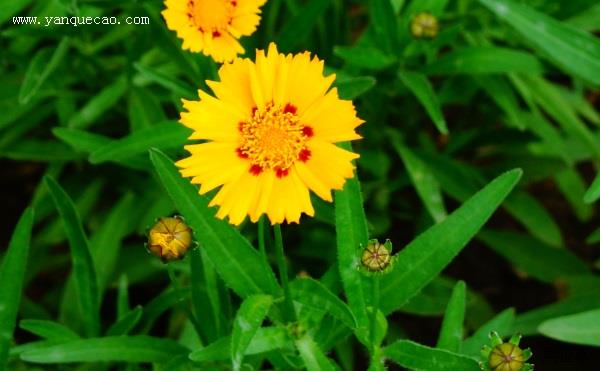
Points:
270	132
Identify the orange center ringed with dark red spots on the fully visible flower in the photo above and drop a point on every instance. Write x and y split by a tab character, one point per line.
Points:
273	139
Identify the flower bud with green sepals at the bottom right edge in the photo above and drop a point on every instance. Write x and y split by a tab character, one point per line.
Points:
505	356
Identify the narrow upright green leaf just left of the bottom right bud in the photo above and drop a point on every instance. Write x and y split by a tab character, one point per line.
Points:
451	333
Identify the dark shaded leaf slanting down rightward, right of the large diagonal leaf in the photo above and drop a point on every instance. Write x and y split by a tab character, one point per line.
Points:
533	257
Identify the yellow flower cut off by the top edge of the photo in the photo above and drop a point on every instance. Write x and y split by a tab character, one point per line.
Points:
213	26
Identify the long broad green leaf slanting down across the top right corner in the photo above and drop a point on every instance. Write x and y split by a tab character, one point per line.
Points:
576	51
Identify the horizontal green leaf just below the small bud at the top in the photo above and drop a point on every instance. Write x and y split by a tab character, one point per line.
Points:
484	60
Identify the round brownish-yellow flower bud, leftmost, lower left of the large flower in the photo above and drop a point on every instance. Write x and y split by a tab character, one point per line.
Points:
169	238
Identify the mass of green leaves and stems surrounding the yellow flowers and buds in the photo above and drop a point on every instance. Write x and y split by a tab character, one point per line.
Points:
89	134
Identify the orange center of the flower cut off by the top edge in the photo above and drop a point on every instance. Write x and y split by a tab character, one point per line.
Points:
211	15
